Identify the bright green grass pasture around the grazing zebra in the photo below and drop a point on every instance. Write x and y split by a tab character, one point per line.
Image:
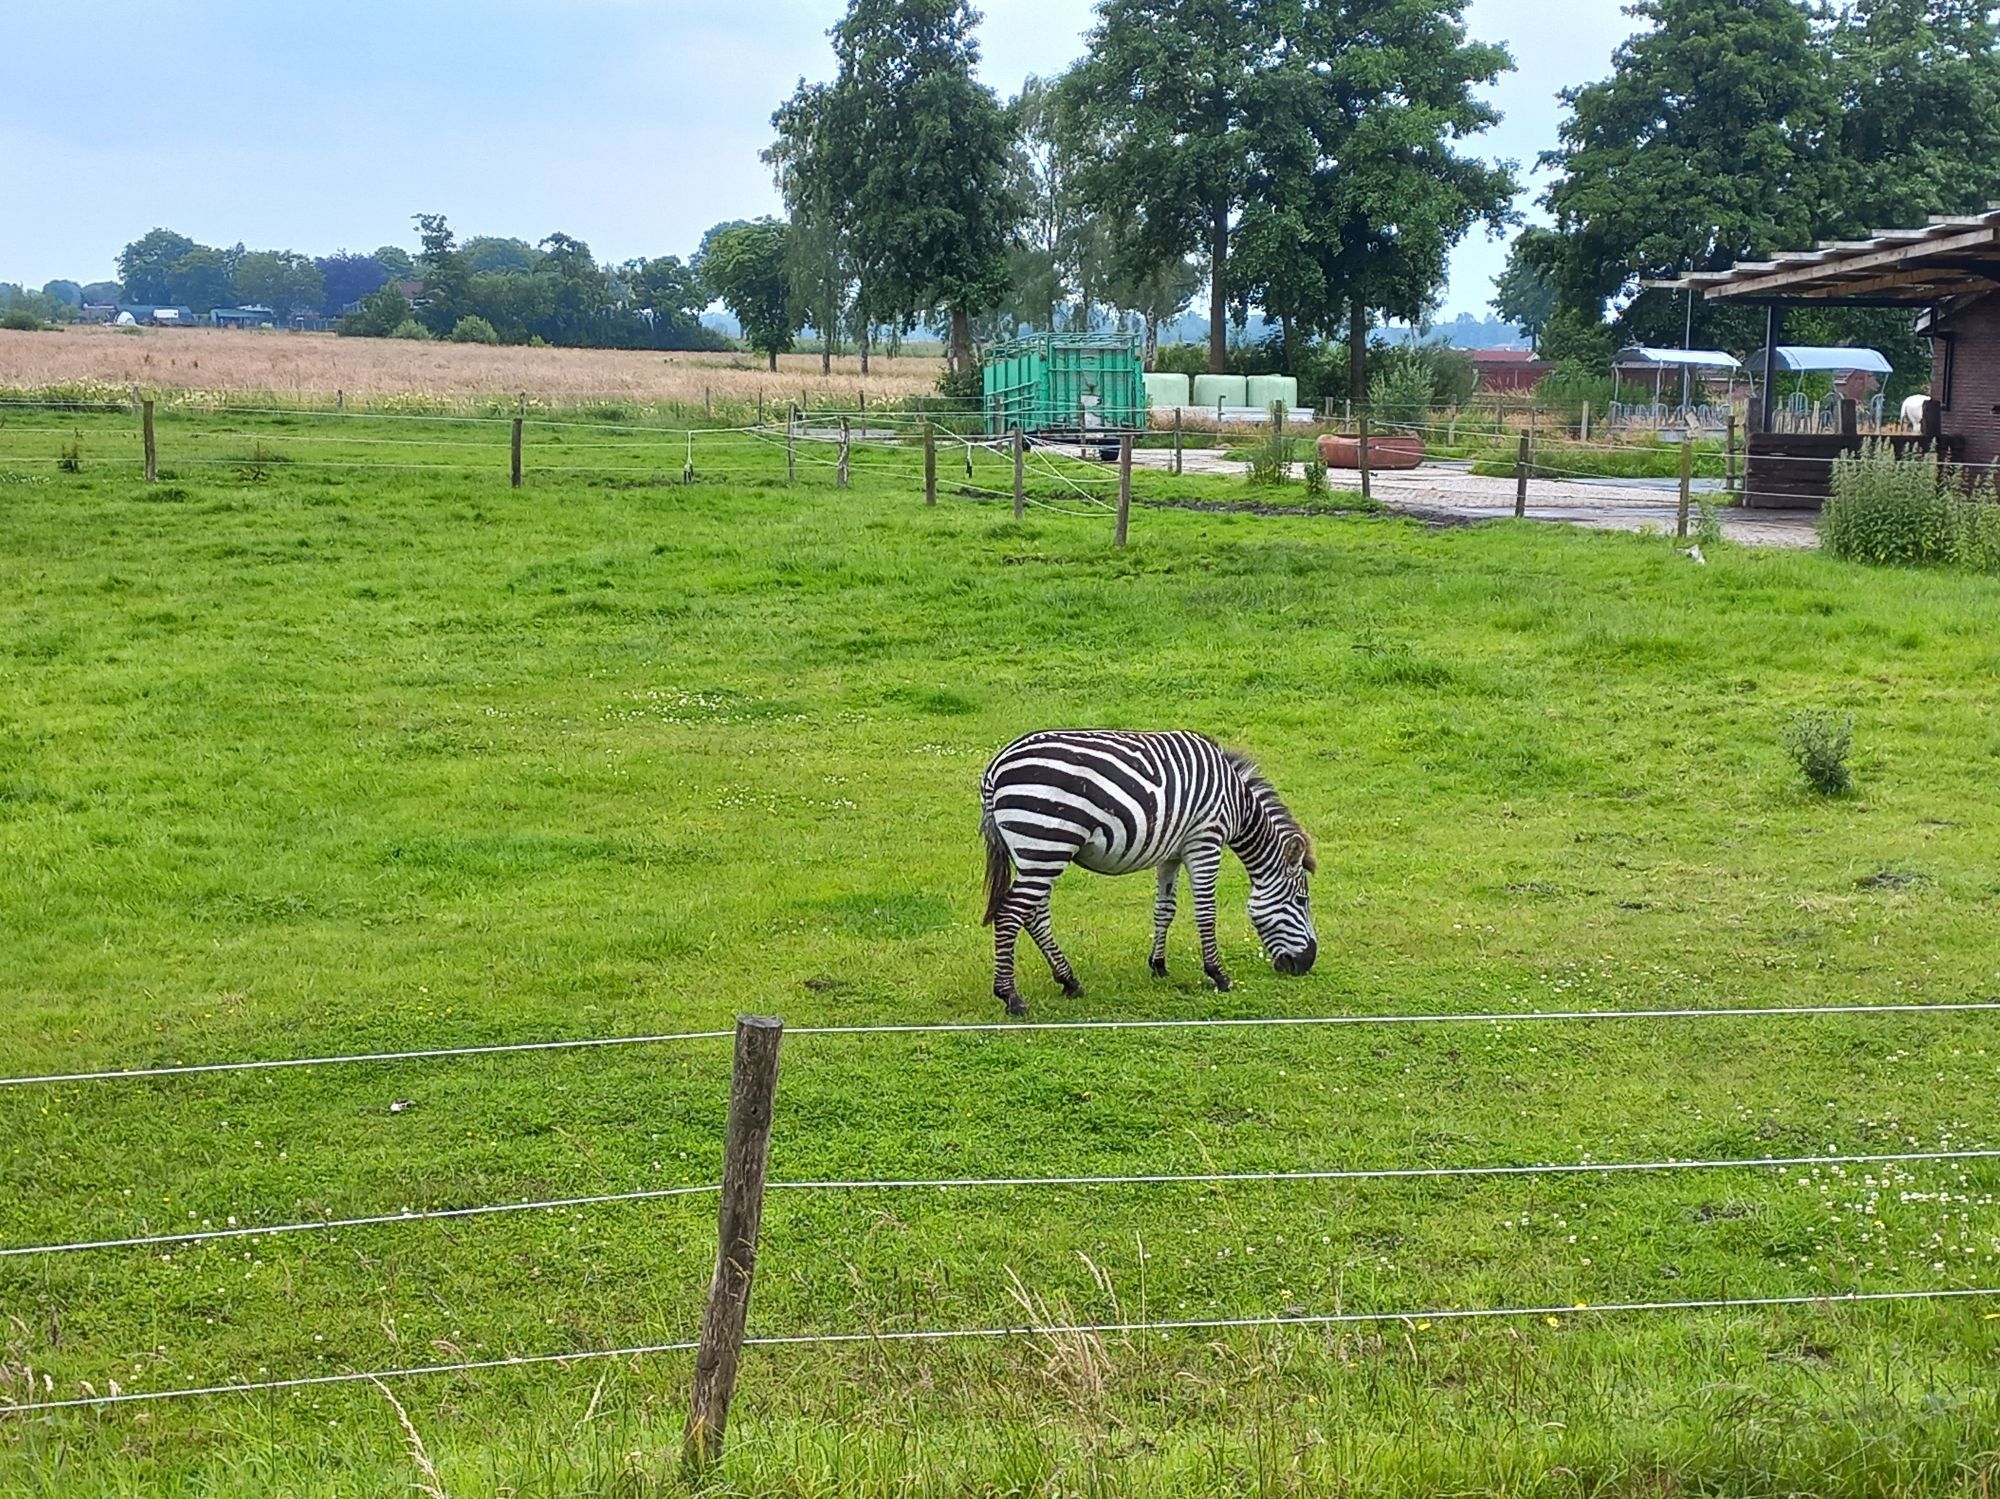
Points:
303	758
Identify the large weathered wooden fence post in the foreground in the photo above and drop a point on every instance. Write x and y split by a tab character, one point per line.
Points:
745	1154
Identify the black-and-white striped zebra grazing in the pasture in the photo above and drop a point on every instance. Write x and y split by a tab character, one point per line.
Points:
1121	802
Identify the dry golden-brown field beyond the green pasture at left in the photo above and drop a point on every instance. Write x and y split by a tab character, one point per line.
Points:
319	365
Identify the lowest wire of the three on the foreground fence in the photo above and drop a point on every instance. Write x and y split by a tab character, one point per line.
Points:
1039	1330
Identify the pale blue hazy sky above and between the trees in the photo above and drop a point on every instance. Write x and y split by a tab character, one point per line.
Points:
631	125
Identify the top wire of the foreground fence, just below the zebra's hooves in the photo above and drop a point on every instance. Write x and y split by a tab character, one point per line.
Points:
1019	1026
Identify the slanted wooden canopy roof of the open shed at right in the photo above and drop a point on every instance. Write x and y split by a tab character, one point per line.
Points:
1949	259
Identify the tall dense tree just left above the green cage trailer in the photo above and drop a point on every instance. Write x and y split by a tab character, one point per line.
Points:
907	151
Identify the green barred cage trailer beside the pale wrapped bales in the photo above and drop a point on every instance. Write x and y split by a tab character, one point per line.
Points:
1067	385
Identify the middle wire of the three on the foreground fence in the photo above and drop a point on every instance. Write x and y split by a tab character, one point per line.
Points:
1013	1184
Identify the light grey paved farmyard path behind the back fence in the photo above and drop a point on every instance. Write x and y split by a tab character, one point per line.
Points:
1447	493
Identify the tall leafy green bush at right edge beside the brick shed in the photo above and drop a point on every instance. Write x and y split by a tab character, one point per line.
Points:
1907	515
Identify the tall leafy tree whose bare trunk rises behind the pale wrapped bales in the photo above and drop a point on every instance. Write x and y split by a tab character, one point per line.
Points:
1171	103
